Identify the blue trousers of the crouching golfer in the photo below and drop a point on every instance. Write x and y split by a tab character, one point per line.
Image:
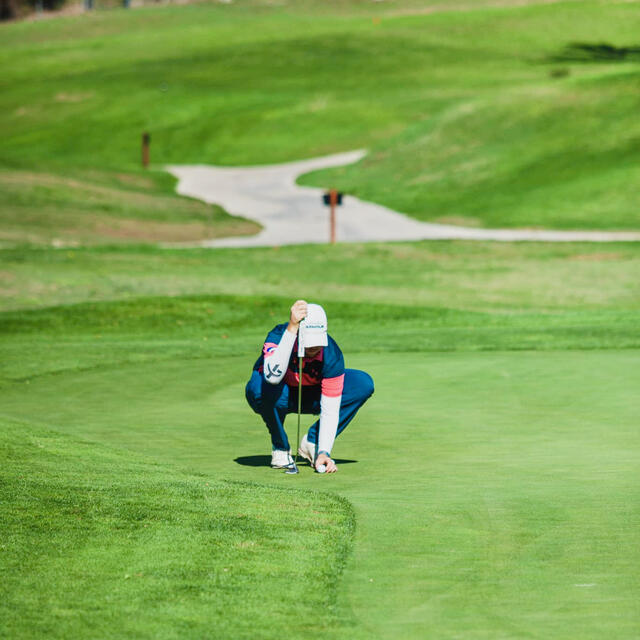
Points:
274	401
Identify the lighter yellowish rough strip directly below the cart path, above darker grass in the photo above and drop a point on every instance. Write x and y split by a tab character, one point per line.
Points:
486	277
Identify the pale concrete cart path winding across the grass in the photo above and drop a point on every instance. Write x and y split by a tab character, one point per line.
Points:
291	214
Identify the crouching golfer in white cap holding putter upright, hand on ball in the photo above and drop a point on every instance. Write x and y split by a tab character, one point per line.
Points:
328	388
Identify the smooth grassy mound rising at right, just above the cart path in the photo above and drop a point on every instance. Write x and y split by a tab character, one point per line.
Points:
546	155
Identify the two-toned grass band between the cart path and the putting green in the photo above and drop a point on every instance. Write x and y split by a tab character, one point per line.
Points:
145	305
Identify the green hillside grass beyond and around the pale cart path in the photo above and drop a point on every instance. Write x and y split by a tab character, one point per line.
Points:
468	125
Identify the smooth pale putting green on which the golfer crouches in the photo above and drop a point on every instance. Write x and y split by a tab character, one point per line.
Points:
495	493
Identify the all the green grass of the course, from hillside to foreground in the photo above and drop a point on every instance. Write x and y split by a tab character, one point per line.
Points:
489	487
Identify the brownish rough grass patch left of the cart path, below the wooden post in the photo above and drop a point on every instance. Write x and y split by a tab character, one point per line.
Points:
95	207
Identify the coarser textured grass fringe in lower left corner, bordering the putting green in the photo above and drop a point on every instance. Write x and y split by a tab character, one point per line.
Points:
100	543
